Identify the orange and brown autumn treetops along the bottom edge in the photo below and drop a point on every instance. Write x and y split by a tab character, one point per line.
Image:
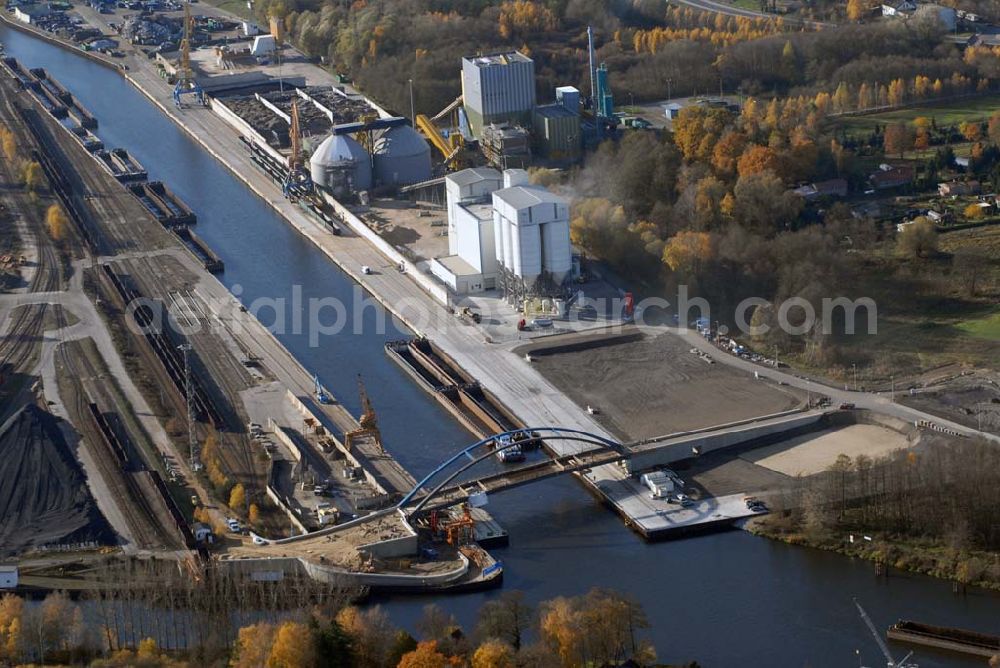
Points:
600	628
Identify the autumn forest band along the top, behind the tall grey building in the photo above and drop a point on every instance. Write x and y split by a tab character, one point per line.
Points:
651	48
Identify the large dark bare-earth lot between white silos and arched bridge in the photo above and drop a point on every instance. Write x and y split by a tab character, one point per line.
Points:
652	386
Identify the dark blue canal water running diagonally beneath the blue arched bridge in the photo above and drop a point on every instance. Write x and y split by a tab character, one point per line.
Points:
725	599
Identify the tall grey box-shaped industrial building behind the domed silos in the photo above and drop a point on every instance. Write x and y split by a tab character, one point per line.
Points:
498	88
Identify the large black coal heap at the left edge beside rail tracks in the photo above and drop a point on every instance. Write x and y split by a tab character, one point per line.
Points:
44	498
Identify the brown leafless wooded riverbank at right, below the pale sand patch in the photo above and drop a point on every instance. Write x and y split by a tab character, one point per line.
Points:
934	510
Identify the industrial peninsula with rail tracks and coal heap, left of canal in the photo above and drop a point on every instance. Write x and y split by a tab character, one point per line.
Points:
175	395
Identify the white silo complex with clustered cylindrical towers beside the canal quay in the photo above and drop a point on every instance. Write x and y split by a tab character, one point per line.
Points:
504	233
